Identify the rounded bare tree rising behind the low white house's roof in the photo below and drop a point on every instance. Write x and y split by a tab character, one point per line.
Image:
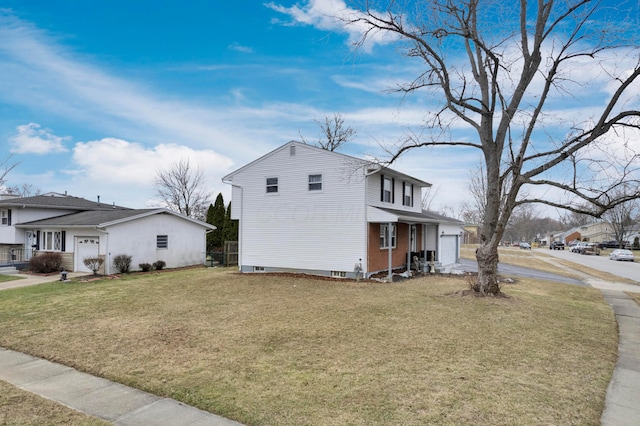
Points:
182	189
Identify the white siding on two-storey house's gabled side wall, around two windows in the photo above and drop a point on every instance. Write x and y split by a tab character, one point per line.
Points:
301	229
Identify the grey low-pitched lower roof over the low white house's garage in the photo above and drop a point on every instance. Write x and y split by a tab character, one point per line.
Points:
103	218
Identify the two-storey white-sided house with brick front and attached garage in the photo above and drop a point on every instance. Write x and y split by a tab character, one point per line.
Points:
305	209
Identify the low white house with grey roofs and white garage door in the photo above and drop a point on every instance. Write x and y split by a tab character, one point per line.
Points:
77	228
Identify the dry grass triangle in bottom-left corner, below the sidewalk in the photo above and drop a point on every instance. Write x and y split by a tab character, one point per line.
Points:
18	407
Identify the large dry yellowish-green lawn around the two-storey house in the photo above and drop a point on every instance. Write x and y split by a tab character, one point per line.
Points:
279	350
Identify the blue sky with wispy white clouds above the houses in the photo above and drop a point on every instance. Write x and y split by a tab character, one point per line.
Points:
96	97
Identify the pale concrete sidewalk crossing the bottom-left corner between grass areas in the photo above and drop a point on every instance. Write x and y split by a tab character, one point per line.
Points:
113	402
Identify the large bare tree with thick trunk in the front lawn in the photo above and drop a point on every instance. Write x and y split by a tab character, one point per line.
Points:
503	82
